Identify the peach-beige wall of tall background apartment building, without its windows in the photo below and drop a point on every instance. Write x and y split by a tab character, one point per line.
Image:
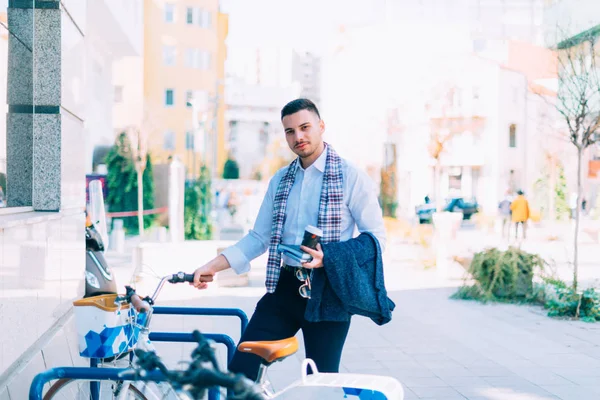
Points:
157	77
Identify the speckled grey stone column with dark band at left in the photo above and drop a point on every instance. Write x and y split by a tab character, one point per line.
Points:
34	97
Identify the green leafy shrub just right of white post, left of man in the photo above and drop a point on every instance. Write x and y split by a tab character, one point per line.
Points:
198	201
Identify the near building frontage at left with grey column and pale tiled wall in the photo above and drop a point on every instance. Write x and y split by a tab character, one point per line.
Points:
51	123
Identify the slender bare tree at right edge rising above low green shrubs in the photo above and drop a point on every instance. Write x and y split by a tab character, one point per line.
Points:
578	101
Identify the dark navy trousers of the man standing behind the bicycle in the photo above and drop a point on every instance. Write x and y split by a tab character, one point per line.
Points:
280	315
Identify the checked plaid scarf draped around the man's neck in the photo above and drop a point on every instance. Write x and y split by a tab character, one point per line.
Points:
330	210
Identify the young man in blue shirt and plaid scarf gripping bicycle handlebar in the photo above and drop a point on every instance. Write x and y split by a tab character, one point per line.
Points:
320	189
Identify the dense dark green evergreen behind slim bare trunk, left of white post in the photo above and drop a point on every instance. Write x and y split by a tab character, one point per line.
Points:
122	183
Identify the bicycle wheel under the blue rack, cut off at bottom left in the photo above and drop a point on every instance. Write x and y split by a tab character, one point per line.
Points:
77	389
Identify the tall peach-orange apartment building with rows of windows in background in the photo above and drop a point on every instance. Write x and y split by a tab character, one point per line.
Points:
183	96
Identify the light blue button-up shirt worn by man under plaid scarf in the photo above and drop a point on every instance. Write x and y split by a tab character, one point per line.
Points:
360	212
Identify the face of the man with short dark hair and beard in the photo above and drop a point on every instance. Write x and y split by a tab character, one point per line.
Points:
303	132
